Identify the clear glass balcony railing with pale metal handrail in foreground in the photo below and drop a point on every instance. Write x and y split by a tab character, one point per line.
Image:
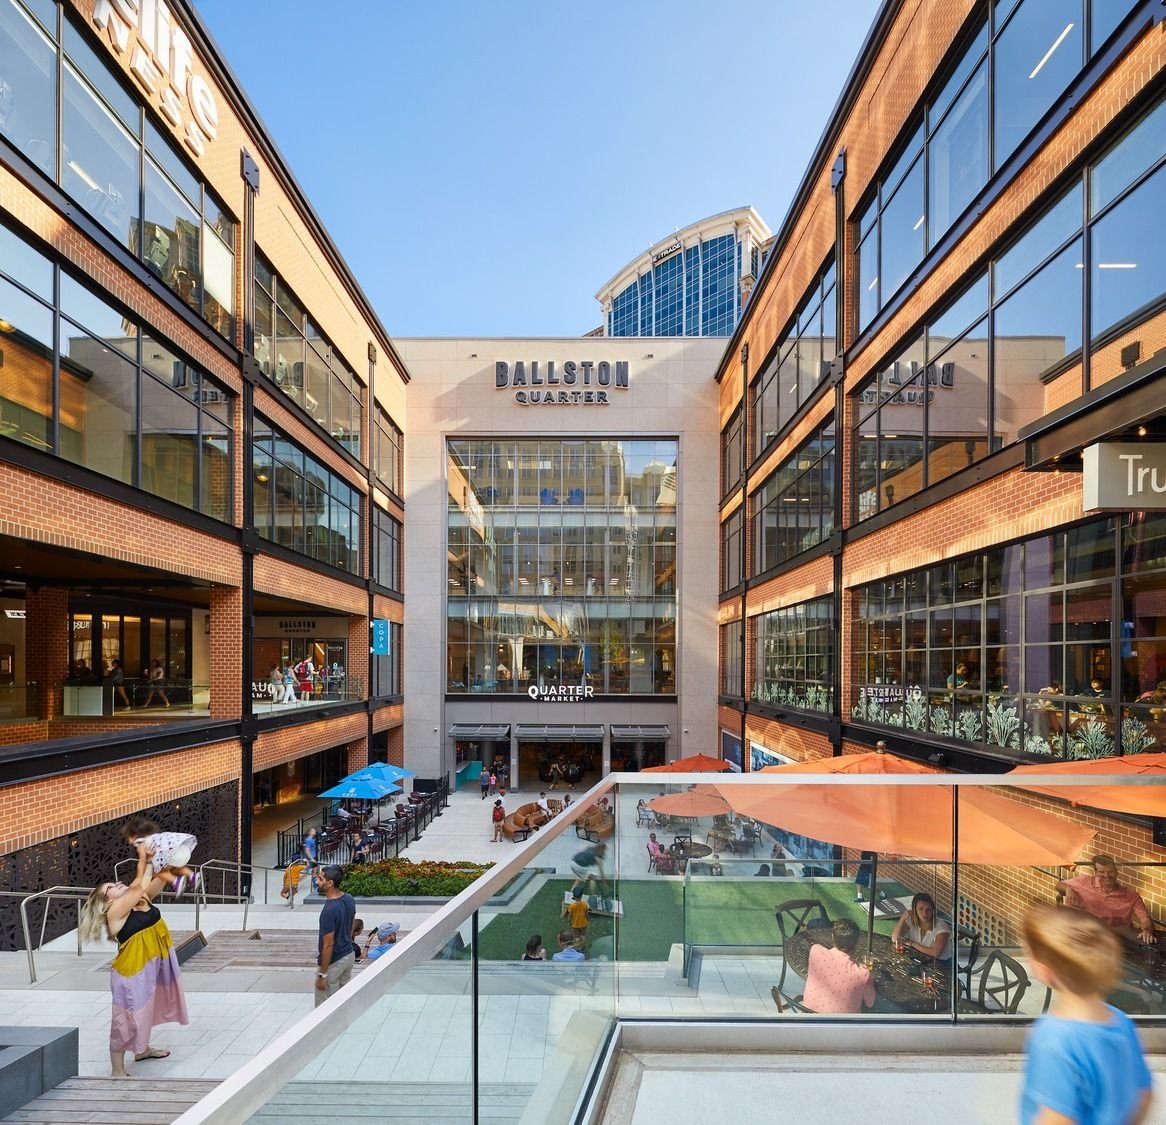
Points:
715	917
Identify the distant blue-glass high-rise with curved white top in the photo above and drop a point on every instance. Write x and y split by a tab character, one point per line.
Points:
694	283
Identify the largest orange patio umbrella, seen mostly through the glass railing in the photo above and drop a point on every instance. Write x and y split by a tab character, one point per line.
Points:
910	820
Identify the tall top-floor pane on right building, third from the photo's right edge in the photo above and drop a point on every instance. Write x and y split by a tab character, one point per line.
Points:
958	157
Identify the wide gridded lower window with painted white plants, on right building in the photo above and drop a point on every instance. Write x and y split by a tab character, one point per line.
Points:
1046	681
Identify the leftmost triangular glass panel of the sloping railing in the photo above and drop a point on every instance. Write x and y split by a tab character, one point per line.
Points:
413	1046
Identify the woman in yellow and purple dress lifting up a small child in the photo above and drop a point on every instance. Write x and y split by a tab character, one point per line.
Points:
145	979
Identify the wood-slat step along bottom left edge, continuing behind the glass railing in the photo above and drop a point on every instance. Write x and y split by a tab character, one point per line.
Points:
154	1102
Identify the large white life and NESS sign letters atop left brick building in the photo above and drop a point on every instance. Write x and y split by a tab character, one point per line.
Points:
160	59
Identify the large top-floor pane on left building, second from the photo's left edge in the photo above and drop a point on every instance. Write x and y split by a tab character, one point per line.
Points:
101	166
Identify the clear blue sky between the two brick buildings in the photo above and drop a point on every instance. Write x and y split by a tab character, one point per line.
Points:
486	168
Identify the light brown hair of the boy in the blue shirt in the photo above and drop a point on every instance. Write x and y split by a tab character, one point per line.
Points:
1084	953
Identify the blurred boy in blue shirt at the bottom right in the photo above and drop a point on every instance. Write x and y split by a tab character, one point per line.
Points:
1085	1061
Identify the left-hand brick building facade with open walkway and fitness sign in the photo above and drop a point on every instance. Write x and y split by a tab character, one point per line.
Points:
201	423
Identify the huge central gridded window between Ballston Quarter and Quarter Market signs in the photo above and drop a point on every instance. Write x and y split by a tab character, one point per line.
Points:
561	566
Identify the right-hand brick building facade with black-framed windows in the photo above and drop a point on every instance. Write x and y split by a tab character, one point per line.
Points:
926	354
